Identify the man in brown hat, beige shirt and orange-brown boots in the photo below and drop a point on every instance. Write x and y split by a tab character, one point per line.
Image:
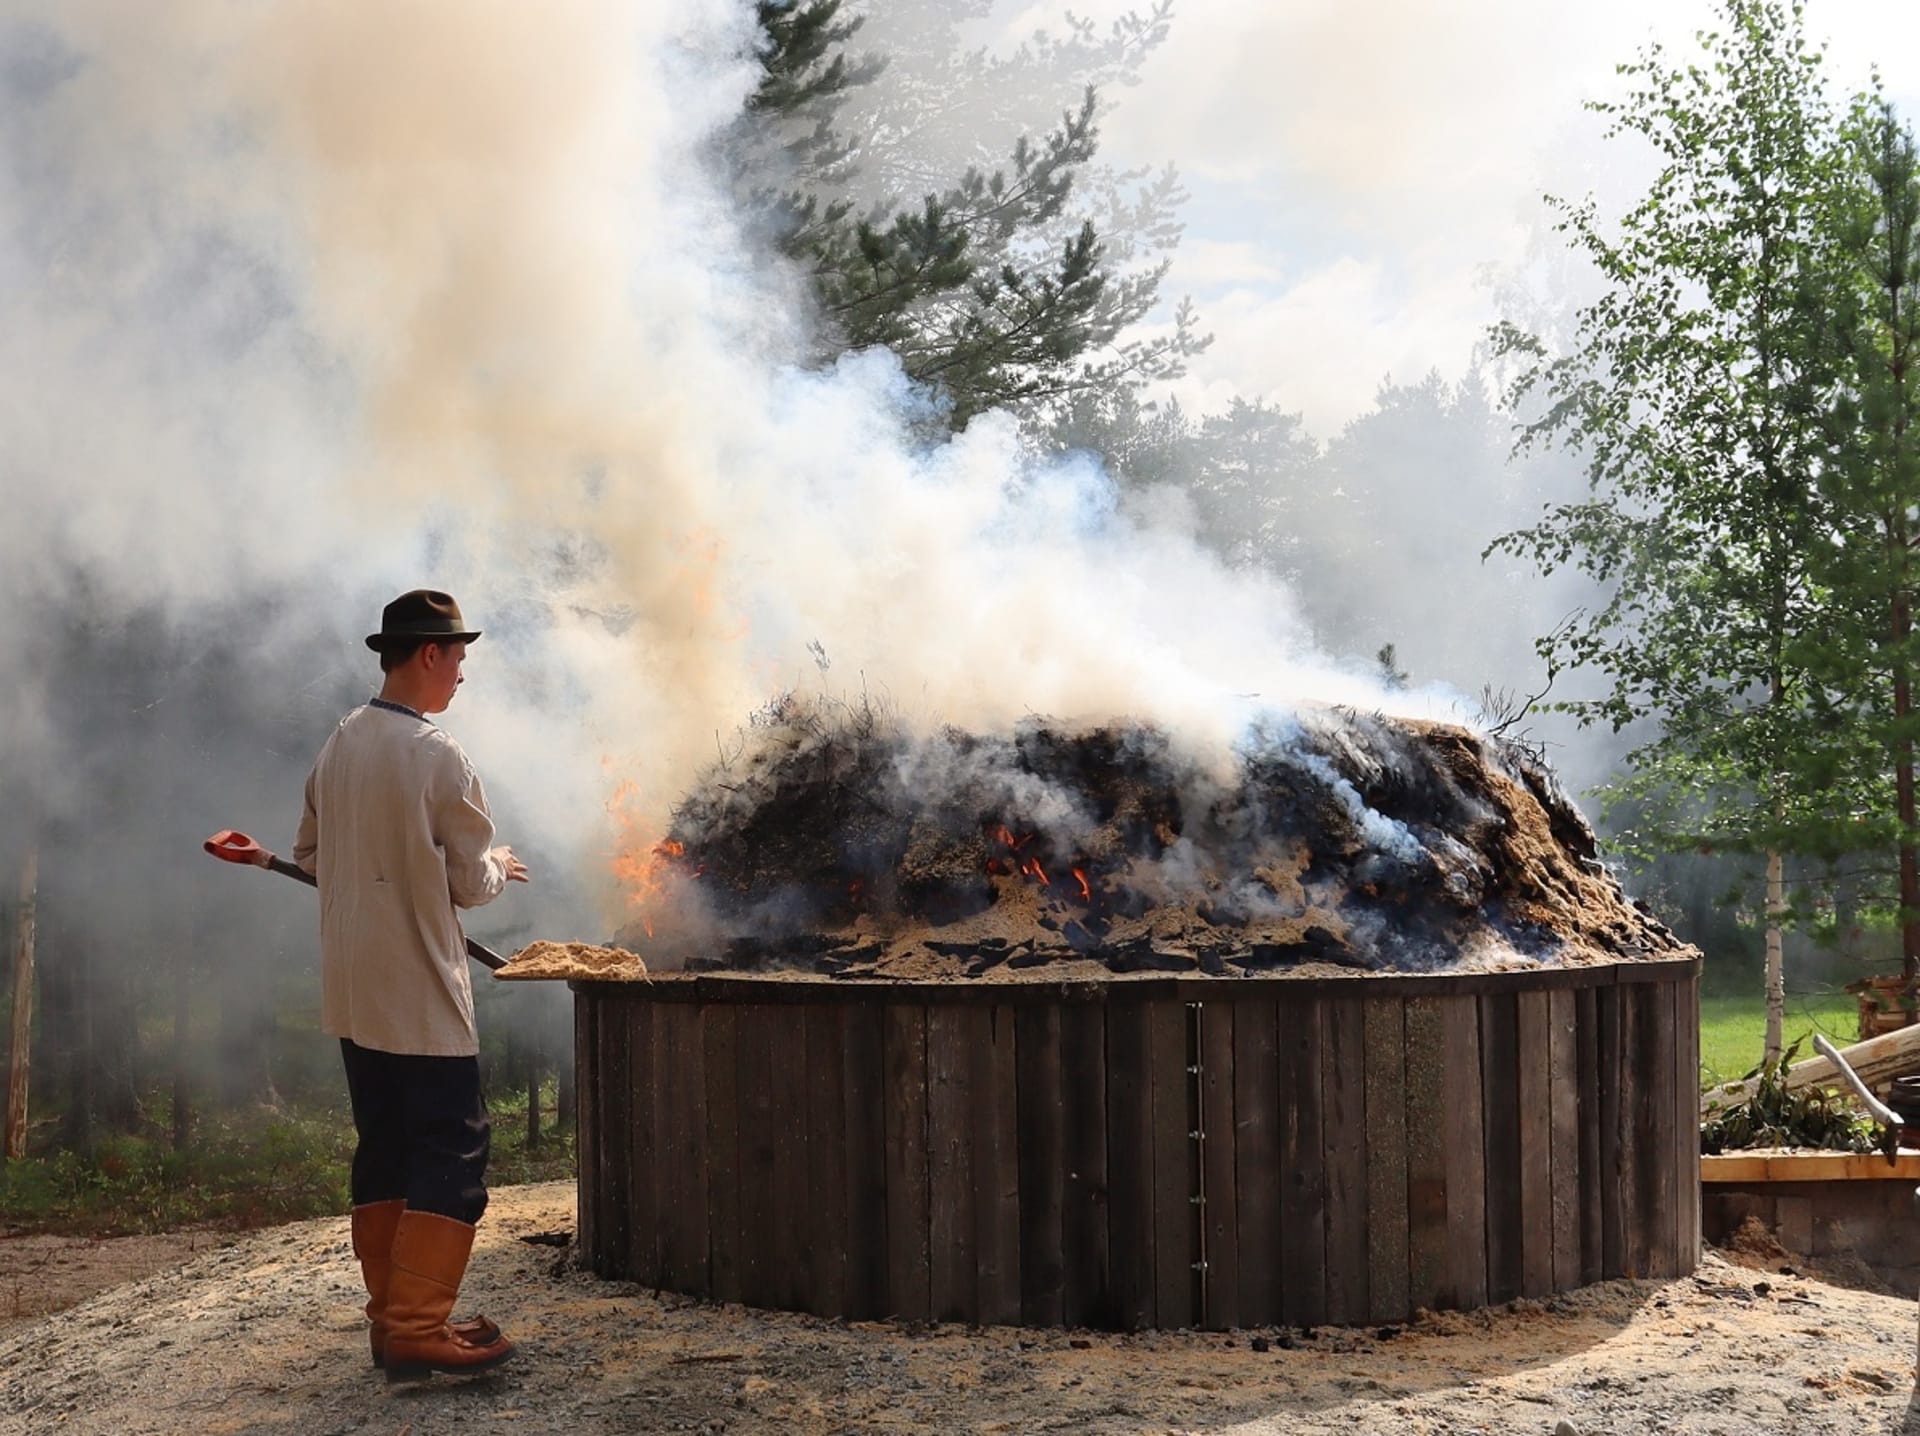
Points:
398	836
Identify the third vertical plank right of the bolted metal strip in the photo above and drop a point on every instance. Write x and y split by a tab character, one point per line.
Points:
1303	1164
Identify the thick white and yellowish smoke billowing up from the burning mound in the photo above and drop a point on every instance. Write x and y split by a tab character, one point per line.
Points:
348	299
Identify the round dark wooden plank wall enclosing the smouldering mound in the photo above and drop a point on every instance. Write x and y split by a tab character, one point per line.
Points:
1141	1151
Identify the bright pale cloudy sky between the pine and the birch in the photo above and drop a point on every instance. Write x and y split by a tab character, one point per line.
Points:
1358	172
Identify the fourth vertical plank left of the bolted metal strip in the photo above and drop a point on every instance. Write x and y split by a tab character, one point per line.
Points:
1044	1164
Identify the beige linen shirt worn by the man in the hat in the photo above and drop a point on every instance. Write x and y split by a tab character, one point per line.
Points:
398	834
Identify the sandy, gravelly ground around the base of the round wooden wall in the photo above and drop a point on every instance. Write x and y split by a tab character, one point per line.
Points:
264	1335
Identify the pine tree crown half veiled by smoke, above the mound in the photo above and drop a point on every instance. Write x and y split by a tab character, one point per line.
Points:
988	285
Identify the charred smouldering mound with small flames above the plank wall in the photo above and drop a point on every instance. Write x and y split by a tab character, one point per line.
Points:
844	844
